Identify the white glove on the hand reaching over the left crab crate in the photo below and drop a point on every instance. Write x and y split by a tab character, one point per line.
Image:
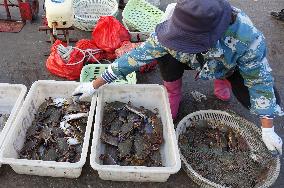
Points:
84	90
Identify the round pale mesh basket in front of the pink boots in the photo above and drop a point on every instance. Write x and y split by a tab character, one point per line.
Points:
250	132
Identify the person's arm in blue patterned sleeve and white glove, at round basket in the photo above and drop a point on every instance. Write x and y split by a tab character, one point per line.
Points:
257	76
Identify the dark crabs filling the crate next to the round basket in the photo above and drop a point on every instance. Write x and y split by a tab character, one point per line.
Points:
132	136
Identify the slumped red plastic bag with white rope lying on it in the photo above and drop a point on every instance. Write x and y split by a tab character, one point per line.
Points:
56	65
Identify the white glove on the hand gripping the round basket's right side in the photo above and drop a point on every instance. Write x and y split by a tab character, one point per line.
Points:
272	141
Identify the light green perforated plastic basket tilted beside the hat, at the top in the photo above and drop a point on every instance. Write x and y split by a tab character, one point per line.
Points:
141	16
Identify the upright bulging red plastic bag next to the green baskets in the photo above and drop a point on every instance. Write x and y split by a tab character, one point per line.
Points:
109	34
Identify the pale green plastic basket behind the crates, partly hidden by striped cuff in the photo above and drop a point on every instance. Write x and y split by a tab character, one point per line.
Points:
92	71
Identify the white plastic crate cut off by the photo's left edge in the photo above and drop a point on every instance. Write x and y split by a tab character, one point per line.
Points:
11	99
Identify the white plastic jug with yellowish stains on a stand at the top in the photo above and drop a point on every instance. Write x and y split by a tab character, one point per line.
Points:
59	11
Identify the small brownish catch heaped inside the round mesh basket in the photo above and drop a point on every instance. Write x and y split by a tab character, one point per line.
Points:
221	155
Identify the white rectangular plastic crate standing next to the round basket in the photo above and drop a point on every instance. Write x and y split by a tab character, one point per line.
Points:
151	97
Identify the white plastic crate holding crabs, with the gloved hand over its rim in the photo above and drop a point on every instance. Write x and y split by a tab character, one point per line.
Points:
39	91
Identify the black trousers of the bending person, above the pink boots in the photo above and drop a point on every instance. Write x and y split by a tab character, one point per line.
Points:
172	70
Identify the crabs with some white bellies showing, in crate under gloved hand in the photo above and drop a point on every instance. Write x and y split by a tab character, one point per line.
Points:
57	131
